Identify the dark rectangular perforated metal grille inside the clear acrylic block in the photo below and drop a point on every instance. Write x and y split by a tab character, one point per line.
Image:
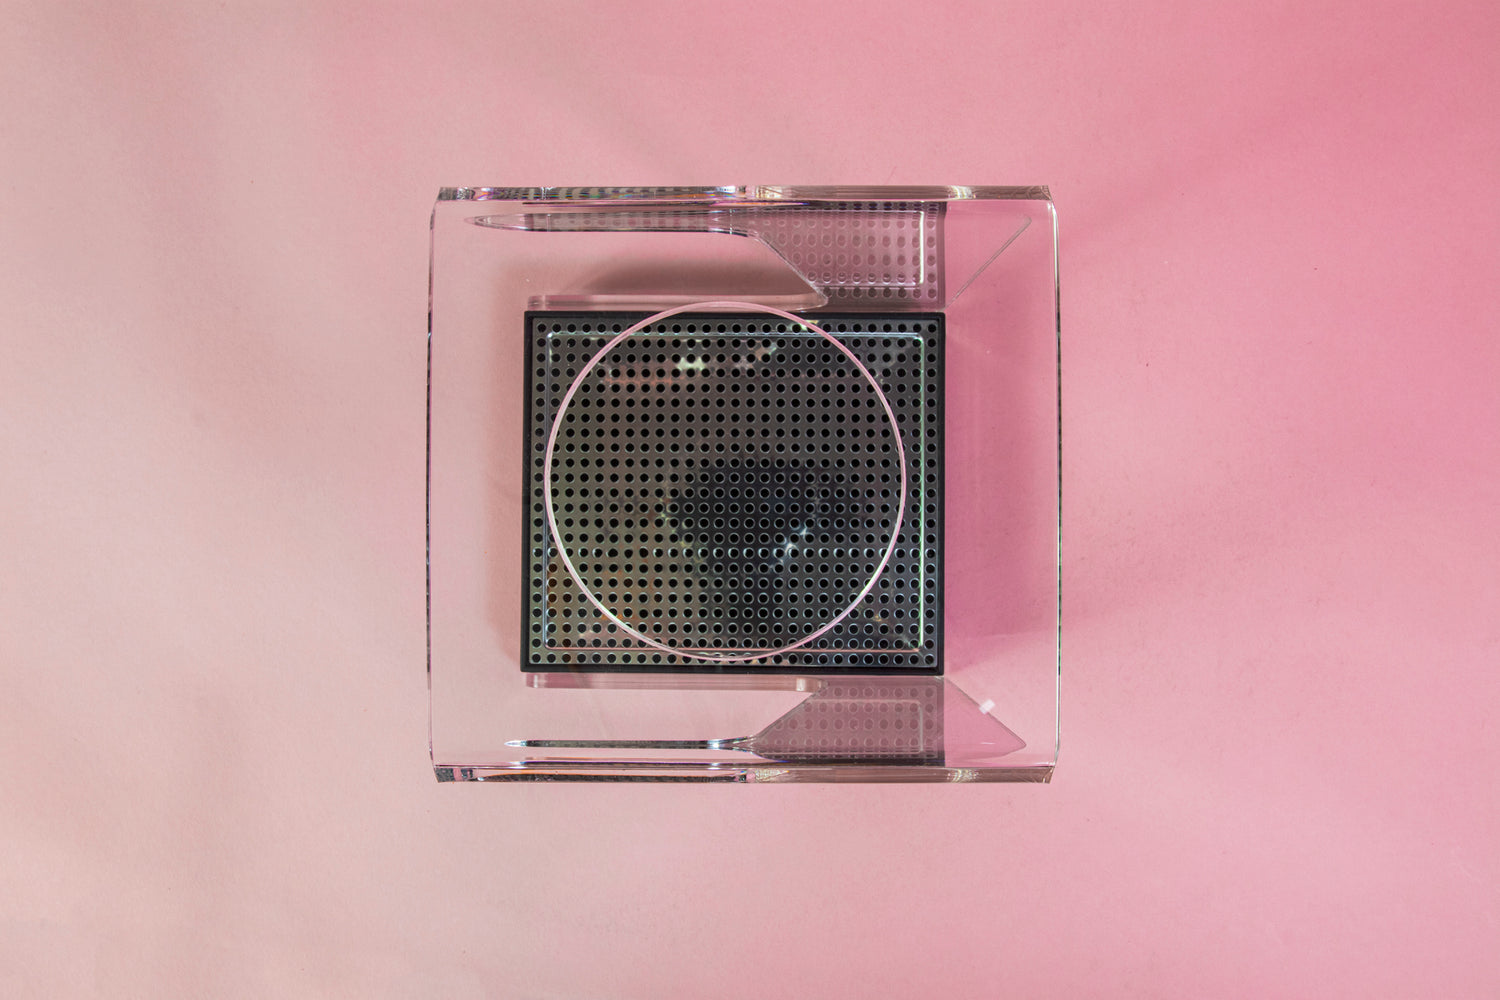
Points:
730	484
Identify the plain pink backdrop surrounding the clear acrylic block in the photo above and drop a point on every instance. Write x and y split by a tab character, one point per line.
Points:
1280	251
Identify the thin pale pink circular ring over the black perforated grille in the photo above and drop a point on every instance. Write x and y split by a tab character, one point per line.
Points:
557	425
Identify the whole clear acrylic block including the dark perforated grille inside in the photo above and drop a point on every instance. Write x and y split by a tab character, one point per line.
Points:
803	527
